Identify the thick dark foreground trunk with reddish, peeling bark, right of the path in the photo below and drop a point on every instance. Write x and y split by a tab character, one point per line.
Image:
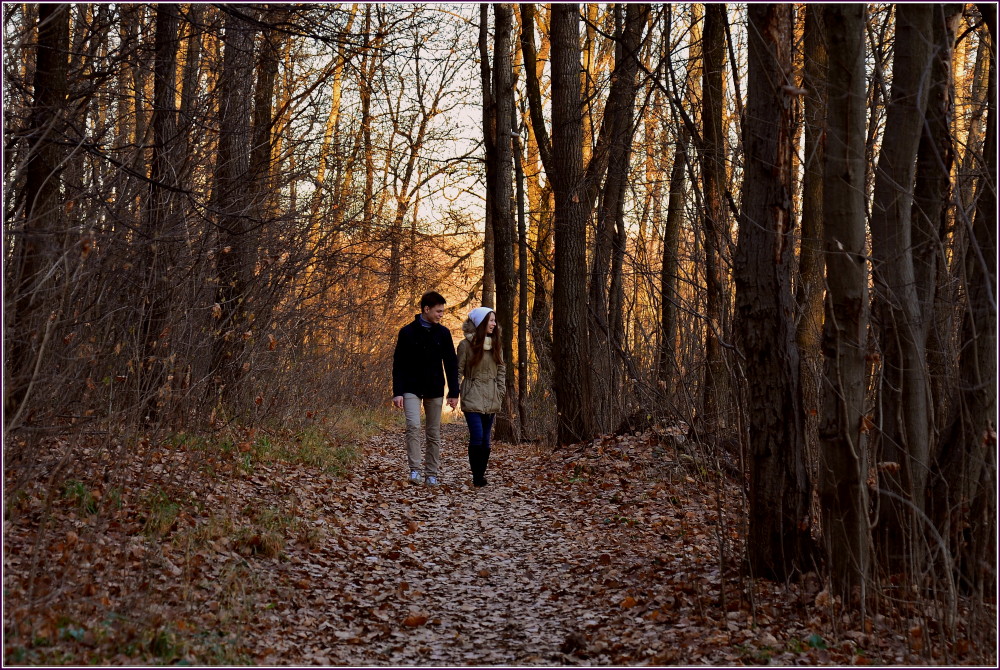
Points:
779	543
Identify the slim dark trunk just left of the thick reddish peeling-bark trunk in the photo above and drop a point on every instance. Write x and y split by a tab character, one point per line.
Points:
714	222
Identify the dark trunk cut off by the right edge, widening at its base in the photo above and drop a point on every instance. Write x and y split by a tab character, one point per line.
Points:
964	494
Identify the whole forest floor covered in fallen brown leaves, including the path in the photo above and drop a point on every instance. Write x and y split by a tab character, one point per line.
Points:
622	553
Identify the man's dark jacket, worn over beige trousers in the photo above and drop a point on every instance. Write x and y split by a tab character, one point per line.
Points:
417	361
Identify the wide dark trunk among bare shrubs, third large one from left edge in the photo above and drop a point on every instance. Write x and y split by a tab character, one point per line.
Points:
231	200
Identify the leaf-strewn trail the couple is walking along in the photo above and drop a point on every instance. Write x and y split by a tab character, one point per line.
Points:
522	572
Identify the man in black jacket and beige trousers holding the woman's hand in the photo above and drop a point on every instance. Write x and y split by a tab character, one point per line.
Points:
423	349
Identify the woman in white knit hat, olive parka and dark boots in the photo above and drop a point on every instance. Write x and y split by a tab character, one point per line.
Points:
482	373
